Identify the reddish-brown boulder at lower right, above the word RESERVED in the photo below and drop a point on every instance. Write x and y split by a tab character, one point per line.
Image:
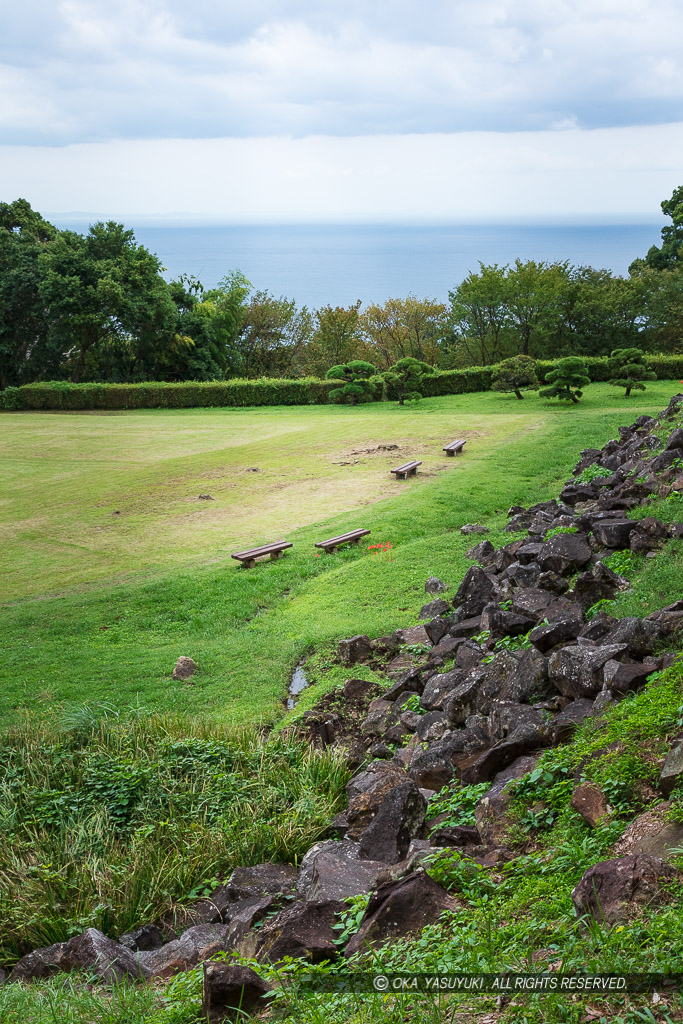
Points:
617	890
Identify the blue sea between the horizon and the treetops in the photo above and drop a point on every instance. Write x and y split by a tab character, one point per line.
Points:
337	265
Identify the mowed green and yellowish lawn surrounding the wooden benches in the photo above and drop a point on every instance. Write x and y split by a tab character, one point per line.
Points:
113	567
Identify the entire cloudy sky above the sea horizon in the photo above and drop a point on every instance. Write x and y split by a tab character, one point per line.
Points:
341	110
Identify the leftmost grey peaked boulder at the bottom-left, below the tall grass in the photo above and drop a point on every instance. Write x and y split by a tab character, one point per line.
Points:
91	952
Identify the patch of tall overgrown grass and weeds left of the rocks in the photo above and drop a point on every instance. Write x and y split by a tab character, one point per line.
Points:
109	822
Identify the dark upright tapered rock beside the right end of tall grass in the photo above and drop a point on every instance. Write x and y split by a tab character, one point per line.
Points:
400	819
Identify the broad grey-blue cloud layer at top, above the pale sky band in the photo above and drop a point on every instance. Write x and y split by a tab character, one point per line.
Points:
93	71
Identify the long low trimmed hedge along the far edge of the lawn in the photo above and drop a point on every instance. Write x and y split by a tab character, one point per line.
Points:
270	392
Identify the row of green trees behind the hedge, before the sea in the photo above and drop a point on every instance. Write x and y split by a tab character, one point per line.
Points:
96	307
